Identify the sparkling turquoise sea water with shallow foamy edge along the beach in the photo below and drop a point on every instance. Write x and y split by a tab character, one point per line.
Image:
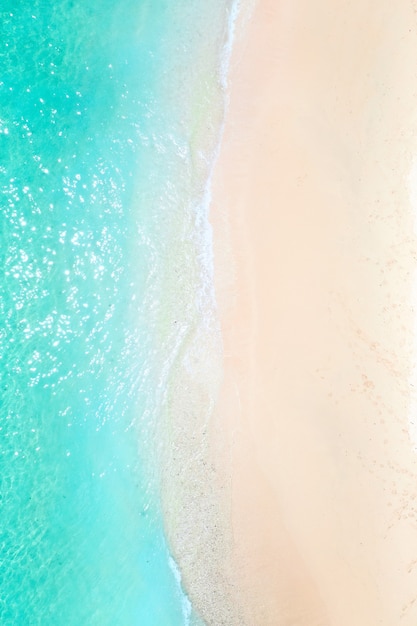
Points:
109	116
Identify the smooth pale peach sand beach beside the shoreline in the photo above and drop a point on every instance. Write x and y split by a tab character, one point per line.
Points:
315	257
